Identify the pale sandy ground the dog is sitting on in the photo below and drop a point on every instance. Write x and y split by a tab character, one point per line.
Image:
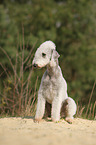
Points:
23	131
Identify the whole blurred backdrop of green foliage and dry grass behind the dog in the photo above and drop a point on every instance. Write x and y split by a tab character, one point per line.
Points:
24	25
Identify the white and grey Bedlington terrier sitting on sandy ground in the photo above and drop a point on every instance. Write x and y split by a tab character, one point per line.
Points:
53	87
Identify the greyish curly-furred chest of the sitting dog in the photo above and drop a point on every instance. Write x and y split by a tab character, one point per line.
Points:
50	88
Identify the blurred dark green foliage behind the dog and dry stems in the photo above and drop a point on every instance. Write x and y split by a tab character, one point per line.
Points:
71	25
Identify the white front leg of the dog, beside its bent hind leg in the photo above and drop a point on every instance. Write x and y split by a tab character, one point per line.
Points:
56	107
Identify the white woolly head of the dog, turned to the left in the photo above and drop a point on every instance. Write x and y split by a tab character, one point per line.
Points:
45	54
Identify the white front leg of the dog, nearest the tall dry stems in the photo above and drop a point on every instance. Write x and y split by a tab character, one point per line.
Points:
40	108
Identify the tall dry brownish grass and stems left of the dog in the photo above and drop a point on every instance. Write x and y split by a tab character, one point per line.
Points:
18	98
